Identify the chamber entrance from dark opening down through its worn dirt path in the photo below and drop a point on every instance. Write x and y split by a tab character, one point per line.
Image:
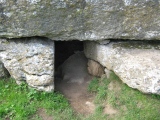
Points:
71	76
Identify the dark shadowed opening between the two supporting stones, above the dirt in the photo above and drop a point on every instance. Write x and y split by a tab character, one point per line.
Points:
68	62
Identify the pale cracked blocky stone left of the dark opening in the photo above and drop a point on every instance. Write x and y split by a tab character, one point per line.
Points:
29	59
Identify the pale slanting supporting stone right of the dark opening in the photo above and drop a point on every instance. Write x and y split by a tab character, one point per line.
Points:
136	63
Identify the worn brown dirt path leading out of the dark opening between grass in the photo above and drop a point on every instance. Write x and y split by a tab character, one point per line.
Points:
80	99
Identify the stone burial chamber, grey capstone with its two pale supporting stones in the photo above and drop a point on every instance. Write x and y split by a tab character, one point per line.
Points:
134	23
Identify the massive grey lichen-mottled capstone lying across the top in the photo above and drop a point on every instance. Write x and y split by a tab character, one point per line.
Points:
80	19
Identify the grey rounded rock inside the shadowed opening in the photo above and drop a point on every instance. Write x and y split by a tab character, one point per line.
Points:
74	69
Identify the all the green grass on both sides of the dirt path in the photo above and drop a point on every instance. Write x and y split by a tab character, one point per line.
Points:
23	103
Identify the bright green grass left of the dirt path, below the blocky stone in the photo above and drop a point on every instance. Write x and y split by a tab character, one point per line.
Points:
22	102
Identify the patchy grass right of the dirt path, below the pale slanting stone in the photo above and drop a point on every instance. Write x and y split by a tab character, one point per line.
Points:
130	104
